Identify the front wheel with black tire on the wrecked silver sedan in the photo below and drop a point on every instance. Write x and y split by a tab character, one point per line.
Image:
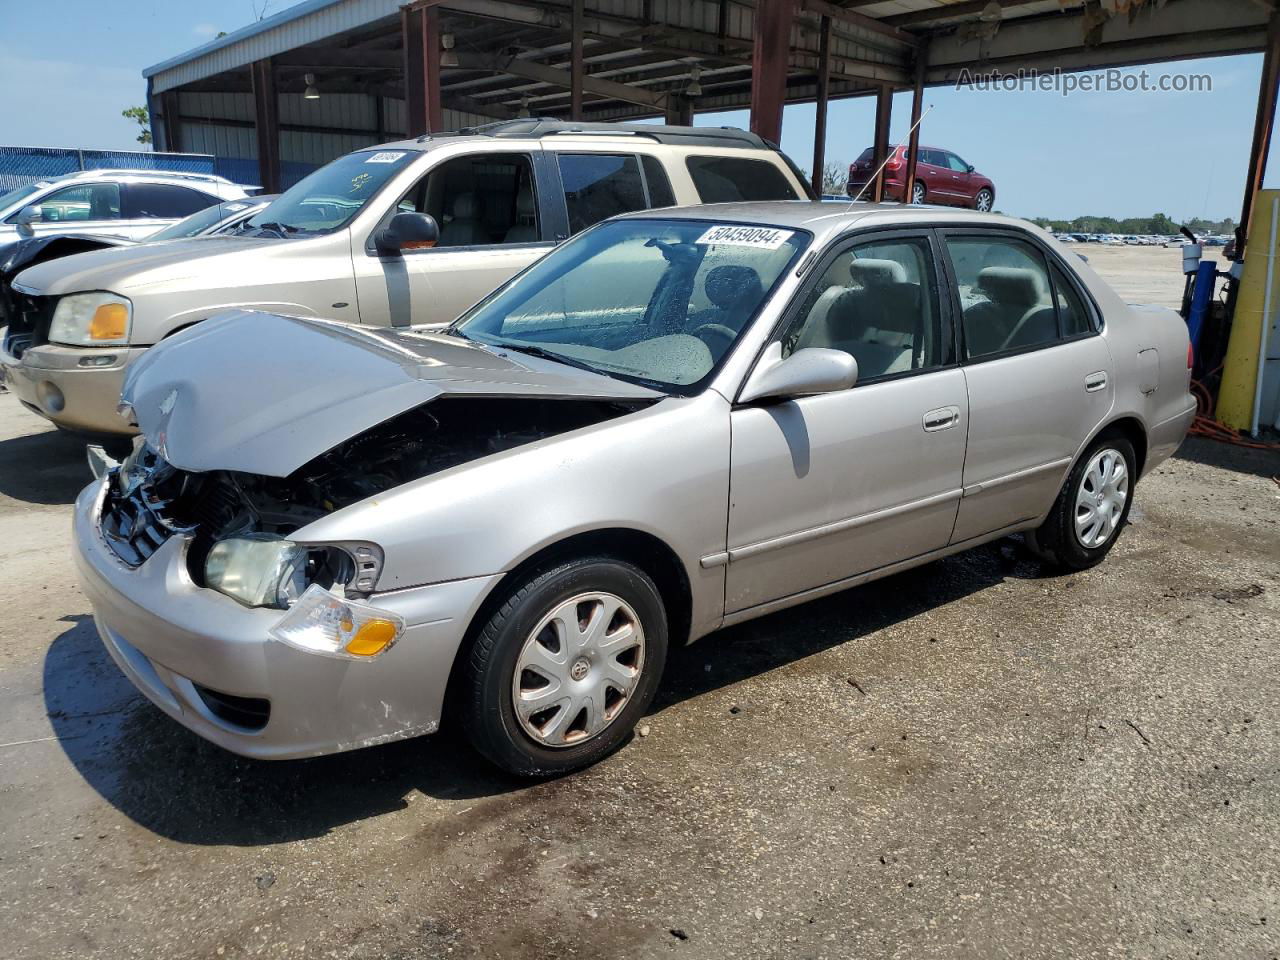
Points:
565	721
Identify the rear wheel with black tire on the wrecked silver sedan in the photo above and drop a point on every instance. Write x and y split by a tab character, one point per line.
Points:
1072	538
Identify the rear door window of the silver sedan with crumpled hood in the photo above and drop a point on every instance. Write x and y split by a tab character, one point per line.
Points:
1004	290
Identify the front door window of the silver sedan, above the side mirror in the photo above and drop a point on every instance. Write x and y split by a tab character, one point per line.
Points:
879	303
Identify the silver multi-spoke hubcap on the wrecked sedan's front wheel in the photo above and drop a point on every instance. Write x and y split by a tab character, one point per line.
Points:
578	670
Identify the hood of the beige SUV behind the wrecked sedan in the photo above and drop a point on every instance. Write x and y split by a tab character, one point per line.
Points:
125	269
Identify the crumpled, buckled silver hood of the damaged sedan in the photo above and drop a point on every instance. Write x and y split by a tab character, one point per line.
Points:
263	394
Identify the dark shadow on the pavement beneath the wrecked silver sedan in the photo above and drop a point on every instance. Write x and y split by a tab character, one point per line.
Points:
182	788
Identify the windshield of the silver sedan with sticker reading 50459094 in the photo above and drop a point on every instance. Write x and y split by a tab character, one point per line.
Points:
656	301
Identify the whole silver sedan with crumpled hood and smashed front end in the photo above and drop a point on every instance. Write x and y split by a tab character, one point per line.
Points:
676	422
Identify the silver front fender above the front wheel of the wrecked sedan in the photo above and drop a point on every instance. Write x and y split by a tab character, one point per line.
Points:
662	470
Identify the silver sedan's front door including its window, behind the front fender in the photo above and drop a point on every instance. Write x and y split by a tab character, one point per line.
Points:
829	487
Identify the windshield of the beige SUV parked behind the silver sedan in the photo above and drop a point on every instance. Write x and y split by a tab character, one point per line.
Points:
328	199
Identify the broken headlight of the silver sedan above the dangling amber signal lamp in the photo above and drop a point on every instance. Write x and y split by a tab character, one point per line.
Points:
263	570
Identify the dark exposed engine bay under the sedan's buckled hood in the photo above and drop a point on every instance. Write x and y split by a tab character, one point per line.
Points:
149	500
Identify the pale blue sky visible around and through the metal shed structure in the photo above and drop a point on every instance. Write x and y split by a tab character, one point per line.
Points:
68	68
